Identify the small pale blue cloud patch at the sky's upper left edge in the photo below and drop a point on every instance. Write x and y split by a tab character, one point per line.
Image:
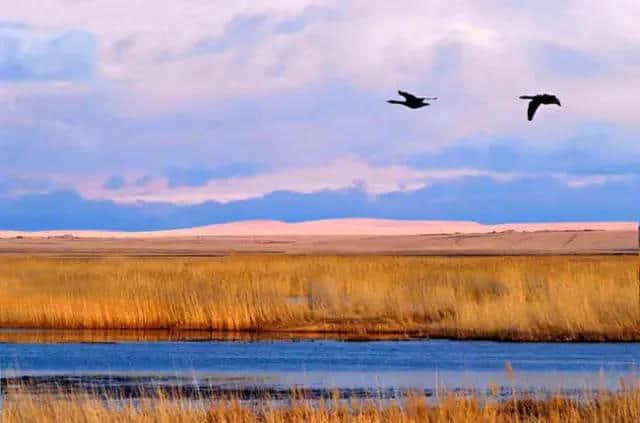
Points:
31	55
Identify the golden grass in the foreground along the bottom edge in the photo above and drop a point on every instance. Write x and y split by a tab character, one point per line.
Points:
621	407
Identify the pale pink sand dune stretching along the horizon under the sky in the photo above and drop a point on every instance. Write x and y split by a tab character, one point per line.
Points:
337	227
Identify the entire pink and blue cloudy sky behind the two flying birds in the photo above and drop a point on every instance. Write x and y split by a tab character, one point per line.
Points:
131	114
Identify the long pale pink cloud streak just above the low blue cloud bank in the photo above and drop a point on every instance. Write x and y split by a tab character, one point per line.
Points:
245	183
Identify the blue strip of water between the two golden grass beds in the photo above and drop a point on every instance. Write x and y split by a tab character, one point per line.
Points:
320	365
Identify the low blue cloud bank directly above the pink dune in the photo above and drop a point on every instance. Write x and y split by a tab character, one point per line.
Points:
481	199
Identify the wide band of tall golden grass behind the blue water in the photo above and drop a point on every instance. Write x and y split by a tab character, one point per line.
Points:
509	298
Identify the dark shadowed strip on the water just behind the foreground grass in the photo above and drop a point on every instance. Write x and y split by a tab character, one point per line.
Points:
123	387
